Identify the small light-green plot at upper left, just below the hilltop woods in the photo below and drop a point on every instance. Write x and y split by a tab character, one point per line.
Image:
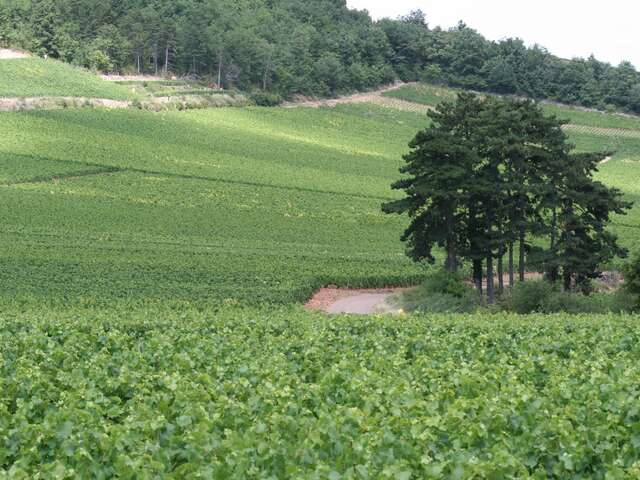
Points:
36	77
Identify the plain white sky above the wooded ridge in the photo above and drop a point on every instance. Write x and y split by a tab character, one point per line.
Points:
567	28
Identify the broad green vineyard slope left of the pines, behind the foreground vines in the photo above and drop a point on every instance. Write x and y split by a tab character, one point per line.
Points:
253	205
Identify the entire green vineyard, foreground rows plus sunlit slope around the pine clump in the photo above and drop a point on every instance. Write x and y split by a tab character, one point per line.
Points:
153	268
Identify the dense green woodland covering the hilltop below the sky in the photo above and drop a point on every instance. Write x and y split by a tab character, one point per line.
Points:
299	47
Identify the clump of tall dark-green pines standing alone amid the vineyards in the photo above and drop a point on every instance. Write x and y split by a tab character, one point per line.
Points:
491	179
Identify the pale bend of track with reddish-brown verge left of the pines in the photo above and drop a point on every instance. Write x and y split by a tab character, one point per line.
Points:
357	301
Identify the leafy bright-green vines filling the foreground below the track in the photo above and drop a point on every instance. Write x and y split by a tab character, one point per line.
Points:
175	393
